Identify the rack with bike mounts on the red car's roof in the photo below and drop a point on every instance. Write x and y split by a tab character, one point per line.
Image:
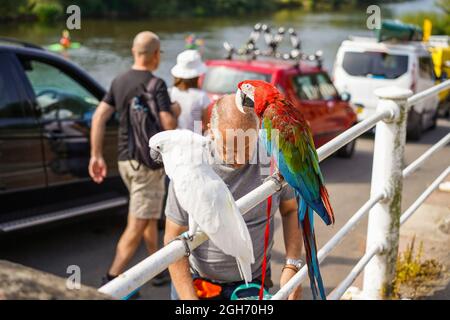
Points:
250	51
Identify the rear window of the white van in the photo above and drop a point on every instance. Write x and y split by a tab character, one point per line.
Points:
375	64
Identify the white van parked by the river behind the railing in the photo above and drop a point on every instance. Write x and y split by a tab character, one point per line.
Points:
363	65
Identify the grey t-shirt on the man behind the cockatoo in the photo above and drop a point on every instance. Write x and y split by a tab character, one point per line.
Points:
207	259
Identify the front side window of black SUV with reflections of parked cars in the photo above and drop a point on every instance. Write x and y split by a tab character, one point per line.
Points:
58	95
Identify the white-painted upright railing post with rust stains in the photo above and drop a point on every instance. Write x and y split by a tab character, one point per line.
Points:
384	217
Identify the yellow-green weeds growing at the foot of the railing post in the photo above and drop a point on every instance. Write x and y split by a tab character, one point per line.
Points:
412	271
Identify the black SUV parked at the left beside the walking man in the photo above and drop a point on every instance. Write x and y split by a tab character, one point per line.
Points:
46	107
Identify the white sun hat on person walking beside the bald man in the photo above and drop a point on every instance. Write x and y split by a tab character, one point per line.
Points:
189	65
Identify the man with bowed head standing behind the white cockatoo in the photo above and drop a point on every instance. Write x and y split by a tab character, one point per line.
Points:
243	171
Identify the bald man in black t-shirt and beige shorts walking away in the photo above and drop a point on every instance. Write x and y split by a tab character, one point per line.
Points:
146	186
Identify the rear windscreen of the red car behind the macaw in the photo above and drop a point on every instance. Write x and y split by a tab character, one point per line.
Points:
224	80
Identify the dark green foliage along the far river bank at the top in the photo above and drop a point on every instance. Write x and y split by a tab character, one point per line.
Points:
47	10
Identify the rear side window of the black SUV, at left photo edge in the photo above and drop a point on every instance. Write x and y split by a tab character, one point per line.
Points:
11	101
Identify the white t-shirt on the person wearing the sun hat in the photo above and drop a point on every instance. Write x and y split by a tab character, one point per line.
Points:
192	103
